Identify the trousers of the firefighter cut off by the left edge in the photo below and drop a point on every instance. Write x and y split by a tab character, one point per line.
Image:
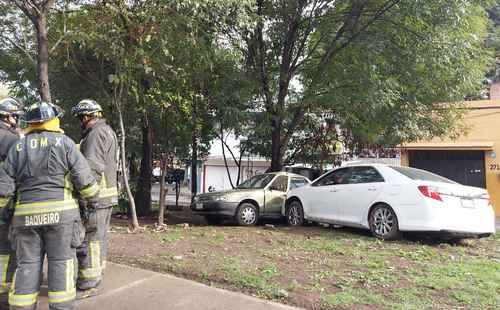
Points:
7	265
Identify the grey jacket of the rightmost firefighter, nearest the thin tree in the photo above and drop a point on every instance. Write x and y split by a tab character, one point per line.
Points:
99	145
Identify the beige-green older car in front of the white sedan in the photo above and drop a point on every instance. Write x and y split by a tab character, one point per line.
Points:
261	196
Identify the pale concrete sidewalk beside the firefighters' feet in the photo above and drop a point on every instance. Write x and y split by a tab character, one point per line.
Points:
127	288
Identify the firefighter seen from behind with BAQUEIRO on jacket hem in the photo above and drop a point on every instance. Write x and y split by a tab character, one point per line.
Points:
43	169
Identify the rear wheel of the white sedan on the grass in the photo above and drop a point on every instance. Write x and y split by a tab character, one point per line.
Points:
384	223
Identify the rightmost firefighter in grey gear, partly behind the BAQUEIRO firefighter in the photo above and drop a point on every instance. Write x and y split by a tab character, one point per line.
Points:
99	145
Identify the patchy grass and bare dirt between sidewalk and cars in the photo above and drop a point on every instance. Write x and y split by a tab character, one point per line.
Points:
322	268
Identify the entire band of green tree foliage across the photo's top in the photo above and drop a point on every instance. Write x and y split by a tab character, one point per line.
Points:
266	70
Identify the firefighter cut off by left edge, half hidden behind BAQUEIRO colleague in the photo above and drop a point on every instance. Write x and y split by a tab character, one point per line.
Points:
10	110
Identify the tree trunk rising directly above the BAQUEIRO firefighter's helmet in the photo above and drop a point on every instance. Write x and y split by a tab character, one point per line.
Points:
43	58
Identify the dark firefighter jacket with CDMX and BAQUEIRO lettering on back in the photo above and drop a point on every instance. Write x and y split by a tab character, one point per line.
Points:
46	167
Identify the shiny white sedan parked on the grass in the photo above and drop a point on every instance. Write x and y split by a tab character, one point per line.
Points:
390	199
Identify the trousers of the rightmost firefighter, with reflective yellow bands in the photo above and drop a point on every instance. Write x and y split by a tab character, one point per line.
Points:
92	253
